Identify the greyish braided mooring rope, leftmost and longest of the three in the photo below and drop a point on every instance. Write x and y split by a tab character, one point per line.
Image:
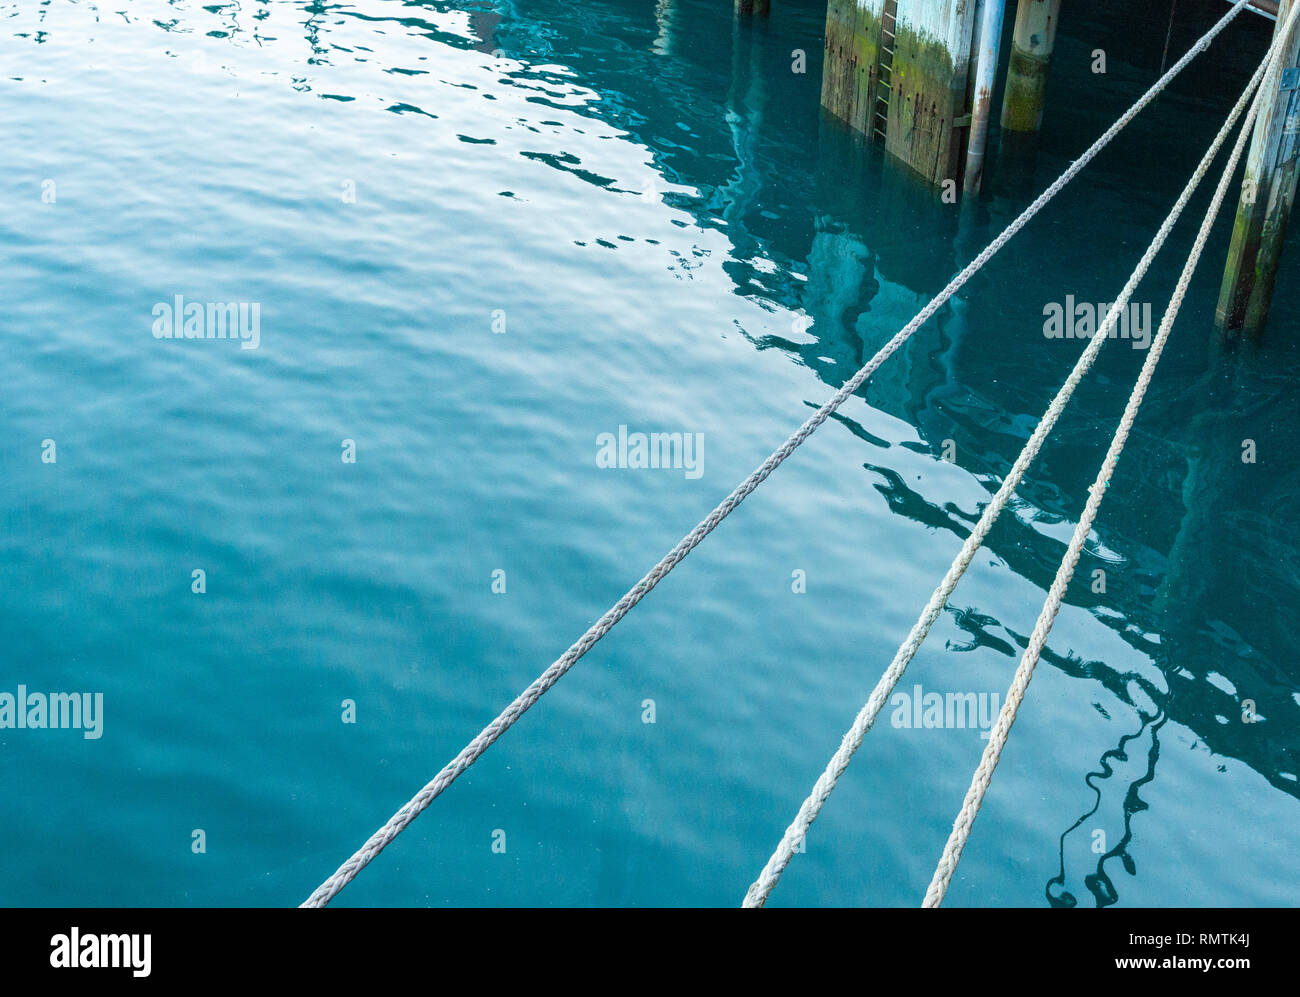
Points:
510	716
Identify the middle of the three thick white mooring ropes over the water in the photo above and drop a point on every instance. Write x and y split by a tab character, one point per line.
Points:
866	718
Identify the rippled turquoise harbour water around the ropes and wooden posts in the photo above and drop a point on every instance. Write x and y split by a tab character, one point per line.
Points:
571	218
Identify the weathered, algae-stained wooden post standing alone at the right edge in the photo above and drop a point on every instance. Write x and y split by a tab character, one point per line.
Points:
1268	193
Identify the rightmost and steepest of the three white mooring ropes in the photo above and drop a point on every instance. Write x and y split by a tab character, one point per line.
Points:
1056	595
